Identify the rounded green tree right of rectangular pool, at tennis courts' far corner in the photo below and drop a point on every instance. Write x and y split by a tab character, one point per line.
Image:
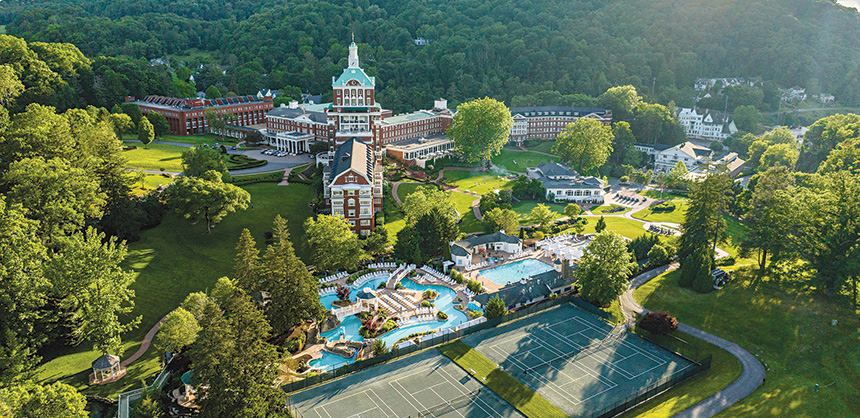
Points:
605	267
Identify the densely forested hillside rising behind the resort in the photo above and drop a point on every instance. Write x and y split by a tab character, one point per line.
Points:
499	48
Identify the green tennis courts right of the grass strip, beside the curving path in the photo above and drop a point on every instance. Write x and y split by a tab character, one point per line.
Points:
575	360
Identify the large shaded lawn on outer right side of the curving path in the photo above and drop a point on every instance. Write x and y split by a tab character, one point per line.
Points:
787	327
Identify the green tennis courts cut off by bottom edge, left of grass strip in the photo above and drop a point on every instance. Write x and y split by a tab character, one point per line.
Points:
426	384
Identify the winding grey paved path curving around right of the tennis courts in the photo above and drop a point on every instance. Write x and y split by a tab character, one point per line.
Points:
750	379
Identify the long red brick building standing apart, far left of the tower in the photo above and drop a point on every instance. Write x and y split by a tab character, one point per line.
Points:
188	116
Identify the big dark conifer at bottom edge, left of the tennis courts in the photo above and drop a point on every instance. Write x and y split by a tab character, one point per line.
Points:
233	363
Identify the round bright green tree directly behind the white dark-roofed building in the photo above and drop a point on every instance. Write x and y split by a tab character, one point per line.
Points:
586	143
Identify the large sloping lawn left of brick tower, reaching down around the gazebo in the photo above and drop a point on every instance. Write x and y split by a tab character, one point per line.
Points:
173	260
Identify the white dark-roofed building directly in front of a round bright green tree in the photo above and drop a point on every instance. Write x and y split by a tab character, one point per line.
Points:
565	184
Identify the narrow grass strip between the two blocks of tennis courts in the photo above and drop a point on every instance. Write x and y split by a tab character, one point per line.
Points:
503	384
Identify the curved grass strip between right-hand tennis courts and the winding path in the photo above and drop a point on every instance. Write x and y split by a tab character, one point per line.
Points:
724	370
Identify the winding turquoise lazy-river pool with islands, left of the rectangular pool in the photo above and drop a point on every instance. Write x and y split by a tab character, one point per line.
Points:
349	326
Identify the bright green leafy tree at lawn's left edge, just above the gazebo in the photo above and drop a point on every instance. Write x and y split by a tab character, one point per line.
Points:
87	272
